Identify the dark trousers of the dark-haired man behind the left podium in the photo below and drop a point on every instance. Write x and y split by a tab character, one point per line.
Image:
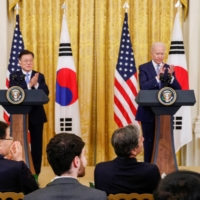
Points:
36	145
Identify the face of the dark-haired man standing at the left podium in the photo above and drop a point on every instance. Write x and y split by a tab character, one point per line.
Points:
26	62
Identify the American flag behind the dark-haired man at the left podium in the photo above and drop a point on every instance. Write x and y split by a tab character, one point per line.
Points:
13	65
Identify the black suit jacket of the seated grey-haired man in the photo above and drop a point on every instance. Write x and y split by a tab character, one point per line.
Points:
126	176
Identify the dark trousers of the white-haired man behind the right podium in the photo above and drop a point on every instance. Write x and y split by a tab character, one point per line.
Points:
148	130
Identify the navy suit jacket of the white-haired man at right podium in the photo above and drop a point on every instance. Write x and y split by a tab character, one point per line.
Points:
148	81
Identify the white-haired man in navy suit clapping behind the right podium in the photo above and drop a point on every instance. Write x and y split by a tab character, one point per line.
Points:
153	75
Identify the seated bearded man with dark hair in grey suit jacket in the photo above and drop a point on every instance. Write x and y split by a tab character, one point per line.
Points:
66	155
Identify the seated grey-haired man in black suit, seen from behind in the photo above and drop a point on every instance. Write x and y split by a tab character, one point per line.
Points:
124	174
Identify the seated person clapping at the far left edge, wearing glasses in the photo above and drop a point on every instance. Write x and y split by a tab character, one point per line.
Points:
14	174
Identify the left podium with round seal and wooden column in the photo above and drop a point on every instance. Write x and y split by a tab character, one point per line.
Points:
18	103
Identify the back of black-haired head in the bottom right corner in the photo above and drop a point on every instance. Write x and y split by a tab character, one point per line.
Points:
179	185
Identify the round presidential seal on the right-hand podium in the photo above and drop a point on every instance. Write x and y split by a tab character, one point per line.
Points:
167	96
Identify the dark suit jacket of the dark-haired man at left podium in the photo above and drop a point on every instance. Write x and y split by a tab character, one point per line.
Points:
37	114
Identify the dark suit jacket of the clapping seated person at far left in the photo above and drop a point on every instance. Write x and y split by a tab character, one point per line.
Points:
16	177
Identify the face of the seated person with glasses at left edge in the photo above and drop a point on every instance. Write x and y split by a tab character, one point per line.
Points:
5	144
